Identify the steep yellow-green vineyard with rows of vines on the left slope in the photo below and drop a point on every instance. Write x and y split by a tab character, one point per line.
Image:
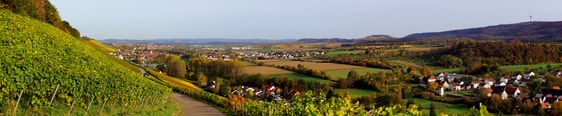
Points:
43	68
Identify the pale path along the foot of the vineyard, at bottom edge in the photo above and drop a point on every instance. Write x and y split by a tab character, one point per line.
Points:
192	107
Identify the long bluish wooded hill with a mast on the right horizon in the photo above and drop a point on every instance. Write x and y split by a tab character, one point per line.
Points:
526	31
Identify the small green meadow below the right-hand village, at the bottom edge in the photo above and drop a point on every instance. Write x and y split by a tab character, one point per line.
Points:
440	106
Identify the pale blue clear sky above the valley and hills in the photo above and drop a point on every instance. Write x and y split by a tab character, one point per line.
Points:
293	19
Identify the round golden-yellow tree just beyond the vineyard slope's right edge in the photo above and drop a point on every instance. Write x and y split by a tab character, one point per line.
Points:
176	67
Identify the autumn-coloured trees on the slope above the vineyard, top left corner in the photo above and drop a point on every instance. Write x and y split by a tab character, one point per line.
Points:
41	10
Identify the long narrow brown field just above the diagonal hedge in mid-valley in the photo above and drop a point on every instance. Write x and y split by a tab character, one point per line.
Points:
312	65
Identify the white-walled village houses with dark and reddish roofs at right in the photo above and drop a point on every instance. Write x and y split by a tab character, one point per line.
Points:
507	87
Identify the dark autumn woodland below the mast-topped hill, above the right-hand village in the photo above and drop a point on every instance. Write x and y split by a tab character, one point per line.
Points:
502	53
